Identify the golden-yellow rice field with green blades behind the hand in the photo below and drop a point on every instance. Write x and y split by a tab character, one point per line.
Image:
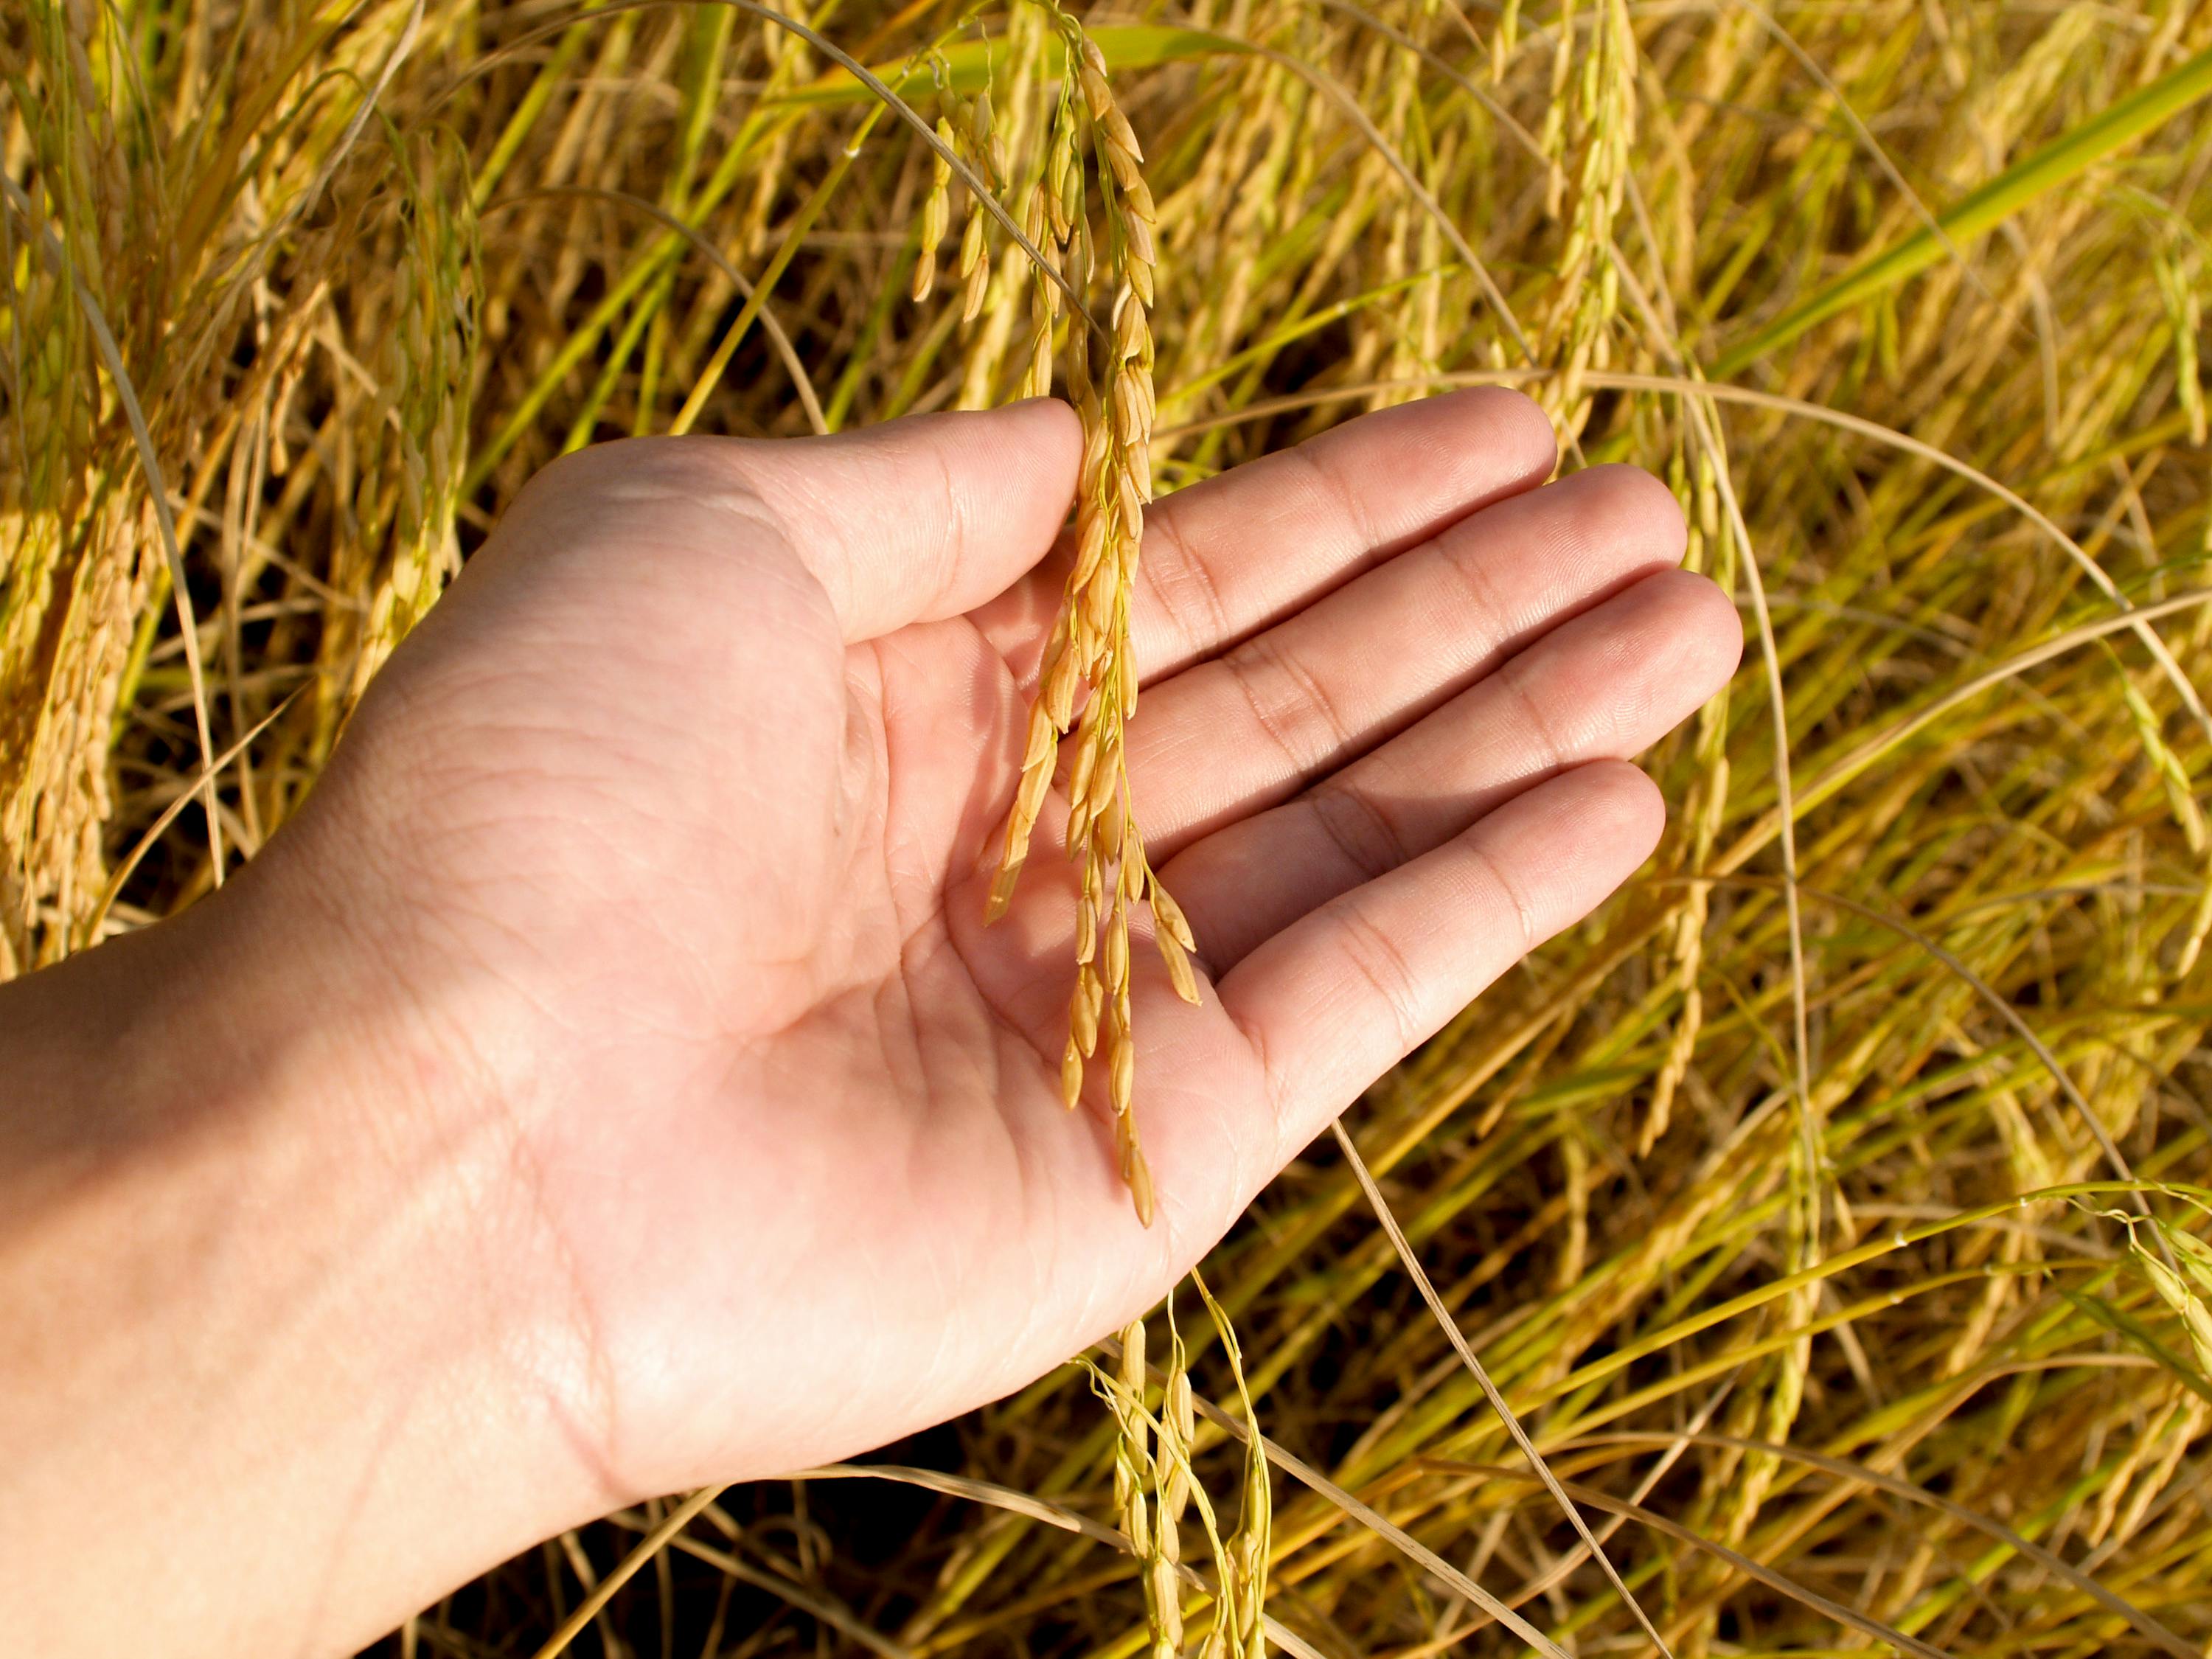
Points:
1726	1187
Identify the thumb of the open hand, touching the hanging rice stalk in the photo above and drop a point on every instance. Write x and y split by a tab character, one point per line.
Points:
926	517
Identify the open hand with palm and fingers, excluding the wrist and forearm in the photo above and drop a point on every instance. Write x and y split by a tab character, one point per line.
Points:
674	824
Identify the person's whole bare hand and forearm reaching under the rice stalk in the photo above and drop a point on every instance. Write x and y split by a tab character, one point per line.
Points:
609	1085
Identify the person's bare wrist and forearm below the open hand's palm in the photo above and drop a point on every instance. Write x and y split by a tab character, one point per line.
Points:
289	1355
